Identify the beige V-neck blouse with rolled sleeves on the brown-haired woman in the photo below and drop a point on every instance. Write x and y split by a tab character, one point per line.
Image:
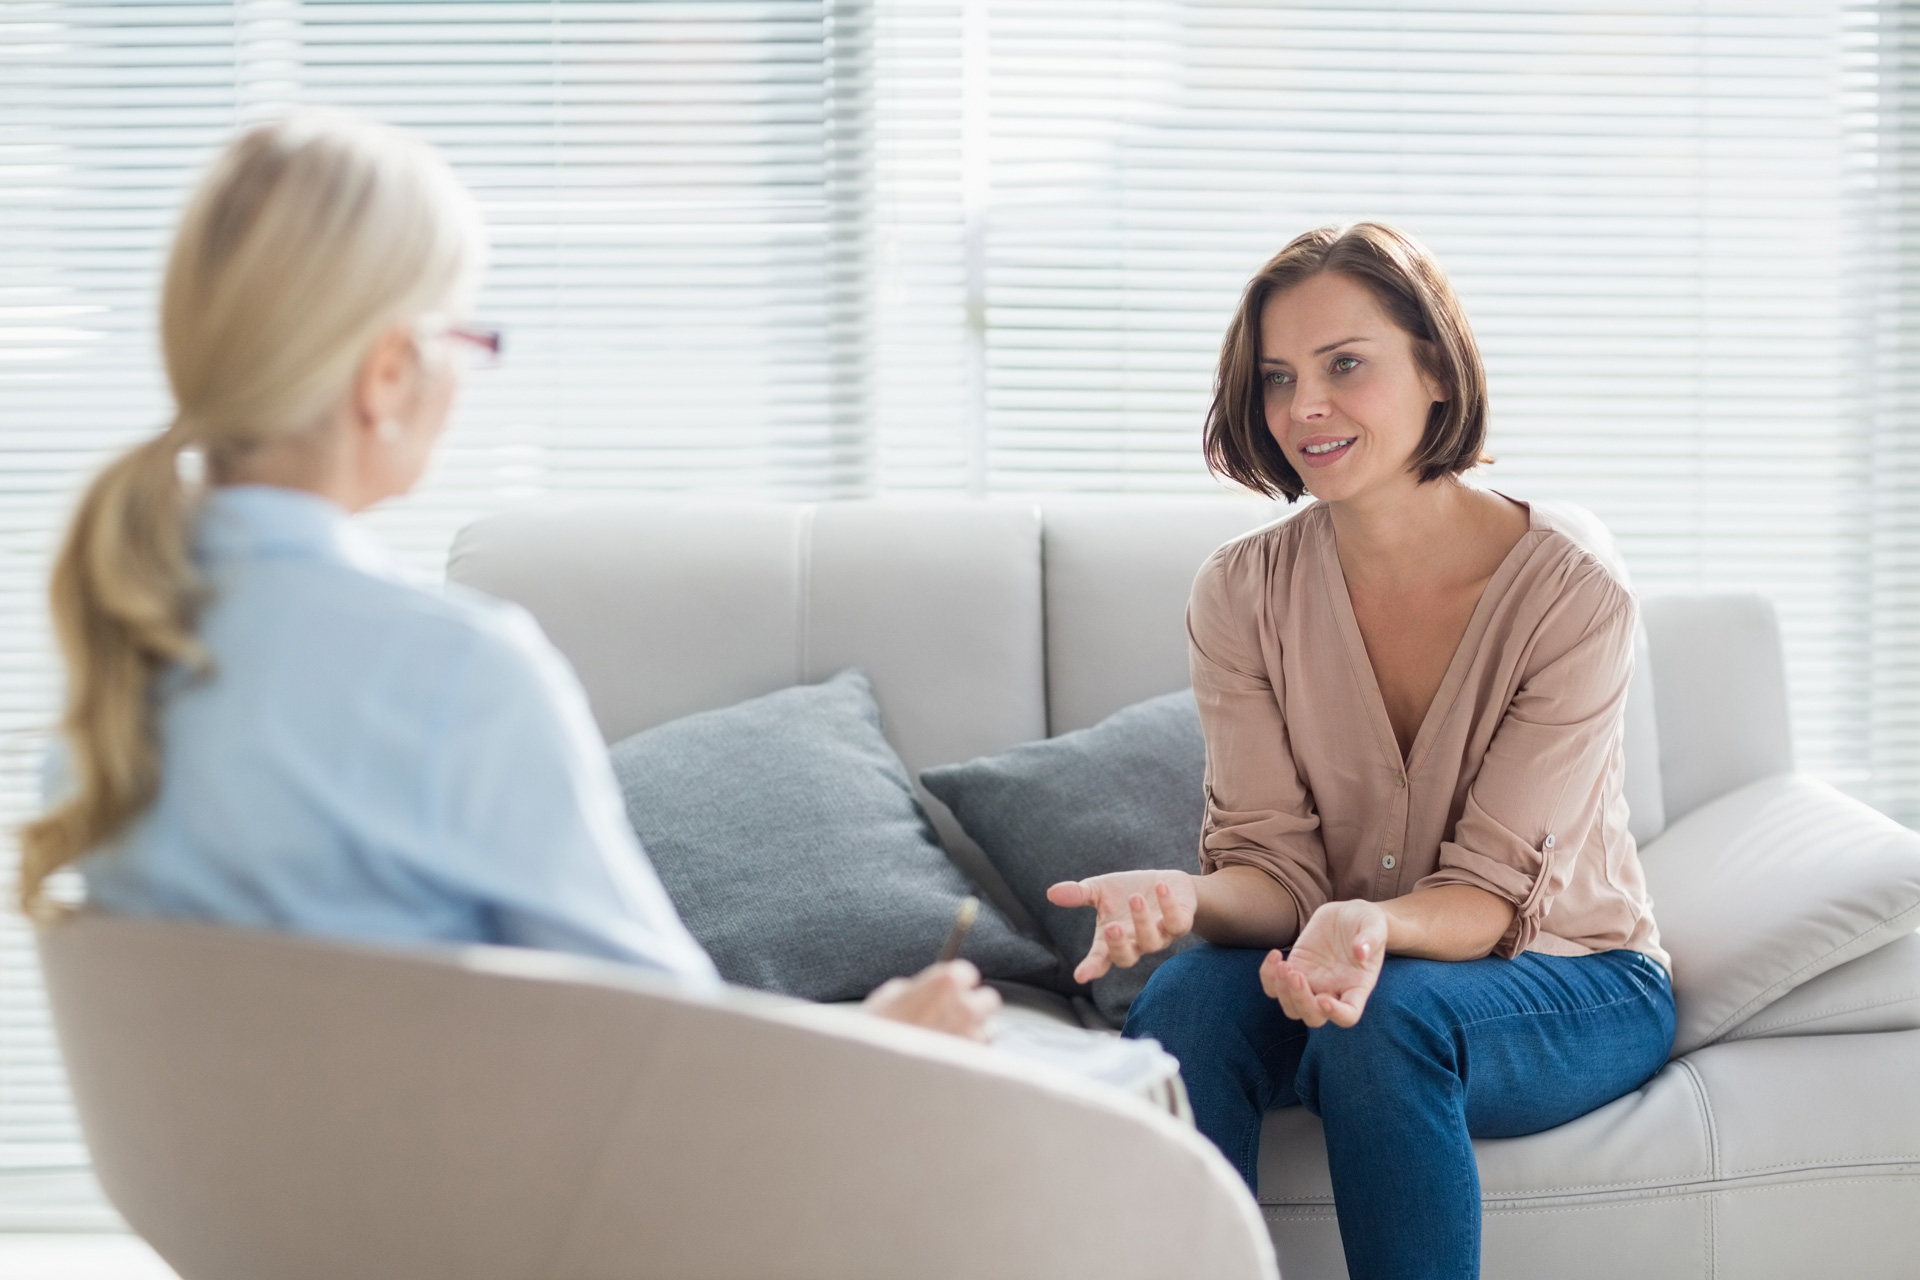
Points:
1516	776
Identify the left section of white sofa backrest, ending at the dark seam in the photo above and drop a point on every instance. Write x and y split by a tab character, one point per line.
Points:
667	609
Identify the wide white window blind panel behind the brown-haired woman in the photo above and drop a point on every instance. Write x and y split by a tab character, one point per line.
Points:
1643	206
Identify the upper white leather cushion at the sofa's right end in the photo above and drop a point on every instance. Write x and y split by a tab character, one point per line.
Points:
1769	888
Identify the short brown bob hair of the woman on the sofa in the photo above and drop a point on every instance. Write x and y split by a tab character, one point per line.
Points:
1414	293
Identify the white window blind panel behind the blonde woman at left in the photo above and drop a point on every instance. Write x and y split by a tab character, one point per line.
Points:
681	239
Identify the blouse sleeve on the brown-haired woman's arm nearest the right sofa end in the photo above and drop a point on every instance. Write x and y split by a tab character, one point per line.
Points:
1537	799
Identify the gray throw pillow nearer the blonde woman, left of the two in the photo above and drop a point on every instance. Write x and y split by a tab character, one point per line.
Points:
788	836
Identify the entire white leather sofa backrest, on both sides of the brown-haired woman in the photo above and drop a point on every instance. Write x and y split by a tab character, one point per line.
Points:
988	625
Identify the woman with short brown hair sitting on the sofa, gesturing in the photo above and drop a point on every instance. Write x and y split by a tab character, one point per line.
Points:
1424	916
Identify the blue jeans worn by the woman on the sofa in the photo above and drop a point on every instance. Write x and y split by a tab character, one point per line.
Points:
1445	1053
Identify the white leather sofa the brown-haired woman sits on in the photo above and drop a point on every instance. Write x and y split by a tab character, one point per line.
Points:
1790	1147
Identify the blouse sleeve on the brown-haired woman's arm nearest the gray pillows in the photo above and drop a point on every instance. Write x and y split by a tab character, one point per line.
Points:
1259	811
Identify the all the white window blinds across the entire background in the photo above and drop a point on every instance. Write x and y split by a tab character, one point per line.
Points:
815	249
